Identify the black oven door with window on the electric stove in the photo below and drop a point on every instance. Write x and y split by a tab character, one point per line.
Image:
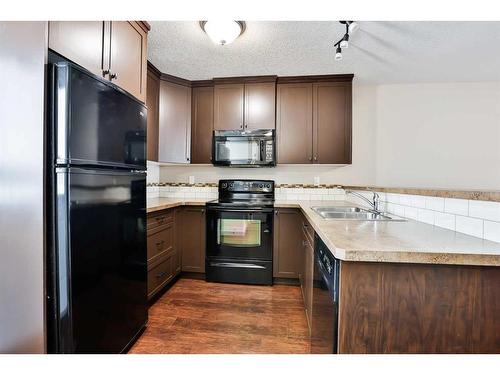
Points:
240	233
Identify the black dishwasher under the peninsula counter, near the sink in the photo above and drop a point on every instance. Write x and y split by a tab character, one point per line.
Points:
325	300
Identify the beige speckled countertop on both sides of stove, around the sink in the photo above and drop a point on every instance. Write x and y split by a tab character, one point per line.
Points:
383	241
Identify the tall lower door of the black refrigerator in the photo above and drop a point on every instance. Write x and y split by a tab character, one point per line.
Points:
99	260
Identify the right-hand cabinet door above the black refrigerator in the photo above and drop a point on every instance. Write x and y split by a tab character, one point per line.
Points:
128	57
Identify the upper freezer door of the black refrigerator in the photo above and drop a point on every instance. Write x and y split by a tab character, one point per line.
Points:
95	123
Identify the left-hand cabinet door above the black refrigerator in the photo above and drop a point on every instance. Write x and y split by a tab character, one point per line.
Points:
80	42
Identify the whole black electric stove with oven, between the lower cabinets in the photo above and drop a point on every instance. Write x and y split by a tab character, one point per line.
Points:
240	233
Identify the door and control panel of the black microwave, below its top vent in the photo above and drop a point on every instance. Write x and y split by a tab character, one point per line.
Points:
243	151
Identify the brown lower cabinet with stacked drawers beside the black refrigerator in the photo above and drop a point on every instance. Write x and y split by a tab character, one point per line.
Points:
162	252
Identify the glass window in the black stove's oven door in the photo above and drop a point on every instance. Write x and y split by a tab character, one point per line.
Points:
238	232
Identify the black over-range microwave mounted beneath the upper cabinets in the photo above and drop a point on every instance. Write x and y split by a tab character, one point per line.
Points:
244	148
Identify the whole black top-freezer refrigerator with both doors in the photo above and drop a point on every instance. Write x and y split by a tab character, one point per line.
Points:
96	207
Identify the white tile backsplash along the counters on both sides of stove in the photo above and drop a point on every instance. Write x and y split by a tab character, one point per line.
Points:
473	217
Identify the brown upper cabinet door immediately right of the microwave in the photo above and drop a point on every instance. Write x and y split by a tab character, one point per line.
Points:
294	123
